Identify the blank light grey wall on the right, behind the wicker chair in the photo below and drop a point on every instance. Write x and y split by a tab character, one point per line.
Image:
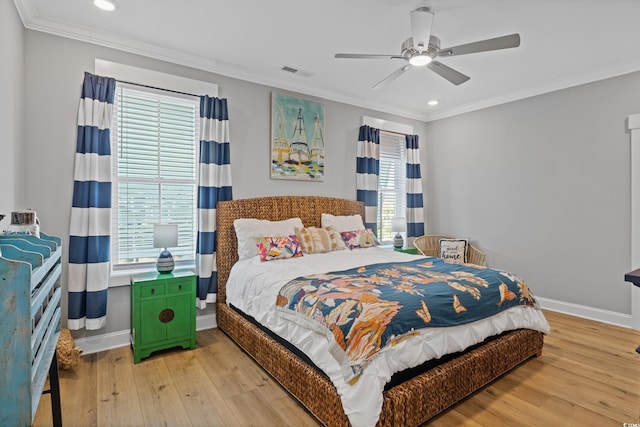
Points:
543	186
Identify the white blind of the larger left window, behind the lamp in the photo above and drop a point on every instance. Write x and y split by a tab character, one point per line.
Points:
154	149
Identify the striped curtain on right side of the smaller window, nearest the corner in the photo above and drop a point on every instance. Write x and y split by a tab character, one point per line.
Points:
415	204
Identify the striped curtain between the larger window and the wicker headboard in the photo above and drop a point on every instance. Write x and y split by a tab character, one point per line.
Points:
214	185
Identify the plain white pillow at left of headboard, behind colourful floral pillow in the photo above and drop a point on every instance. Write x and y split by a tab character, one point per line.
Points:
247	229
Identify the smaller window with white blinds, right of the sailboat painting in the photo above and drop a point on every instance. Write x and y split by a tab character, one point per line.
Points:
391	185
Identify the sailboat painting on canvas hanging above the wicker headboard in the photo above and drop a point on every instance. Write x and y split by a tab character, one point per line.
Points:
297	138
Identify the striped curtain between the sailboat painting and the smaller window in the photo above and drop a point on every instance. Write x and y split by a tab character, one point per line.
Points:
367	173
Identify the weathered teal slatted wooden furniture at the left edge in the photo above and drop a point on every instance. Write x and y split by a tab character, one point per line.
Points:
29	325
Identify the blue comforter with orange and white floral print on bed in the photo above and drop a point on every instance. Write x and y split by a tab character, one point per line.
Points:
366	309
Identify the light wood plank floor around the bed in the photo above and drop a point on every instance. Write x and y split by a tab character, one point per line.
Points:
588	375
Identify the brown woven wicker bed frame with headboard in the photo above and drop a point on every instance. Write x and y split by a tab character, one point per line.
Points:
408	404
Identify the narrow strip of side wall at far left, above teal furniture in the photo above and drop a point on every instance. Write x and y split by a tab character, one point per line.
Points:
11	110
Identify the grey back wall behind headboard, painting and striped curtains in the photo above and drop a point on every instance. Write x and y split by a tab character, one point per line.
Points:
54	74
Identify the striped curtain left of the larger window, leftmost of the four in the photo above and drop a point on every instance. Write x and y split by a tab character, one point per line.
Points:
90	228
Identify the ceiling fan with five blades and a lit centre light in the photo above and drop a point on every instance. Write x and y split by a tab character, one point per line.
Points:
422	48
